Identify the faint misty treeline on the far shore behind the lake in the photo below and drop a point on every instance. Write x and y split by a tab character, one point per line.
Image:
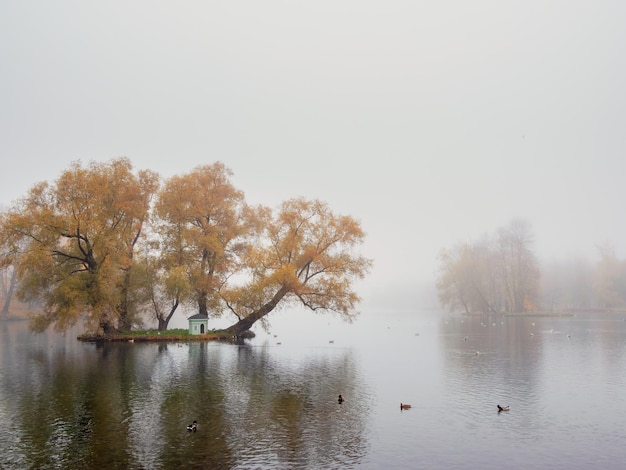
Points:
501	274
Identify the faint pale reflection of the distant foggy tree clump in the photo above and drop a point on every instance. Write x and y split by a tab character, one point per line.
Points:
490	361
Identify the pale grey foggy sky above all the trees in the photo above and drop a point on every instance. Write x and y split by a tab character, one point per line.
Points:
430	122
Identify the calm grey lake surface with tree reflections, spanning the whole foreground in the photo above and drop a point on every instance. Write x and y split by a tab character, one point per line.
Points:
272	402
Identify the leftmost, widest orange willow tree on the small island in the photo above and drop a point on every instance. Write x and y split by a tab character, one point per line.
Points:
77	239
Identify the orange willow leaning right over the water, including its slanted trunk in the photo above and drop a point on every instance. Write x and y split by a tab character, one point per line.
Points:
305	256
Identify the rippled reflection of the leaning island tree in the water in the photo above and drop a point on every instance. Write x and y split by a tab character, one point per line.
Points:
284	414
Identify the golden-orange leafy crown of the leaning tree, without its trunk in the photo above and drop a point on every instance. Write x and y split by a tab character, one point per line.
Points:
308	254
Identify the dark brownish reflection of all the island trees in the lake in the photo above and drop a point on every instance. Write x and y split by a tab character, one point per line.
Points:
127	406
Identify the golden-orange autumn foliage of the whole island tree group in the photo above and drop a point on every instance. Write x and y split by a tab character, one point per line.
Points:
84	248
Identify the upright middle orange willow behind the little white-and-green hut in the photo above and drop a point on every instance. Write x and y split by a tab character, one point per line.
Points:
203	224
